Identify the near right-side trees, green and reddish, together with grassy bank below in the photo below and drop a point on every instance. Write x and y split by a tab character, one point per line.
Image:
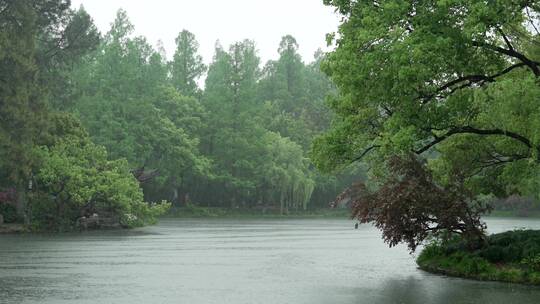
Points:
442	100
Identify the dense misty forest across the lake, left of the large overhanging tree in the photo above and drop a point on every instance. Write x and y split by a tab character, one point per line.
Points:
102	123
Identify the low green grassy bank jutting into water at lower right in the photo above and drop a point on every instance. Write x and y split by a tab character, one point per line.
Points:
512	256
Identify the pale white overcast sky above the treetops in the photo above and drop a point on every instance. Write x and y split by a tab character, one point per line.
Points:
264	21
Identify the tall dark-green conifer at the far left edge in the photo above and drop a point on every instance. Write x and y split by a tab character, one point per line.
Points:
22	107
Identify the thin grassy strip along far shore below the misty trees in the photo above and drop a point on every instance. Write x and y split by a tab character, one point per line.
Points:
212	212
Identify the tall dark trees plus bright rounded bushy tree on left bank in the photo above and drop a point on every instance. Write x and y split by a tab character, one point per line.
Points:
46	157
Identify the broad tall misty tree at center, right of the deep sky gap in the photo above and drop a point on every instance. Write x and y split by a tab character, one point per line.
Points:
232	134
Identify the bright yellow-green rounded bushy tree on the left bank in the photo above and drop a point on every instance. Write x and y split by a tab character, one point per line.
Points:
76	179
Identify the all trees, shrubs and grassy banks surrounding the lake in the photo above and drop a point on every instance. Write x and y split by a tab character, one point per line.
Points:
430	107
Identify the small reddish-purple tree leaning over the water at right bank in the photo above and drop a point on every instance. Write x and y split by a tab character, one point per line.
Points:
410	206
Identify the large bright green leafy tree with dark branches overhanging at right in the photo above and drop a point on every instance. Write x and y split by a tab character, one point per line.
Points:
455	79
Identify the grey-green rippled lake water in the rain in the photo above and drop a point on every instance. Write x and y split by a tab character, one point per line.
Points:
312	261
